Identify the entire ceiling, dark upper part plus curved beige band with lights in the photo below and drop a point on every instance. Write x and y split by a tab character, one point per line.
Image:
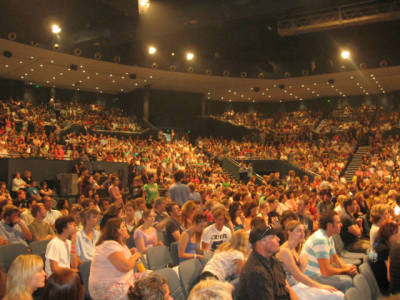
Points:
239	53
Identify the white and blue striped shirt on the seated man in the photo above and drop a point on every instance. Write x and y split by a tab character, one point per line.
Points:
318	245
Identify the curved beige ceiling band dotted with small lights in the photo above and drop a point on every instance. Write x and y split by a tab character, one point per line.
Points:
36	66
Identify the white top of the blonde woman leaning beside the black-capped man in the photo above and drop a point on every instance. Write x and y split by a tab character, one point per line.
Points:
223	265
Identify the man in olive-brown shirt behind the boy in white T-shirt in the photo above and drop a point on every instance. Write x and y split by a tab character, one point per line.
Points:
40	229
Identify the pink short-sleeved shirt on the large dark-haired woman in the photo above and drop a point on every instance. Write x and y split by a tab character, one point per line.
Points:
102	270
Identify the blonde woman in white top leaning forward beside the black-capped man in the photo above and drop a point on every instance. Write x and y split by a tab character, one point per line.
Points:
229	258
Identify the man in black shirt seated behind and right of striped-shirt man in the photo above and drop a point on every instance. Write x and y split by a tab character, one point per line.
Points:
352	228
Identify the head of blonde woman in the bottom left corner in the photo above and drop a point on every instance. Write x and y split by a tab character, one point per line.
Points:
25	275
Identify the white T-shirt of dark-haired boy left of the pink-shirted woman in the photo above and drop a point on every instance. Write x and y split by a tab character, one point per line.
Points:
58	251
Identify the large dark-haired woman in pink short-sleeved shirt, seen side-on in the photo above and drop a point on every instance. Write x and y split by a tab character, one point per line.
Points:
111	271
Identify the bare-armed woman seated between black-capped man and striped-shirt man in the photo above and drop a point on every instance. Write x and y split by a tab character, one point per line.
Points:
304	287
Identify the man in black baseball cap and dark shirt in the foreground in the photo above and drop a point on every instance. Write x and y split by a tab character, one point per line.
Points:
263	277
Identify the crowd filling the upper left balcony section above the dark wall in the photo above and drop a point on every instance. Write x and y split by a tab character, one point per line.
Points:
29	130
